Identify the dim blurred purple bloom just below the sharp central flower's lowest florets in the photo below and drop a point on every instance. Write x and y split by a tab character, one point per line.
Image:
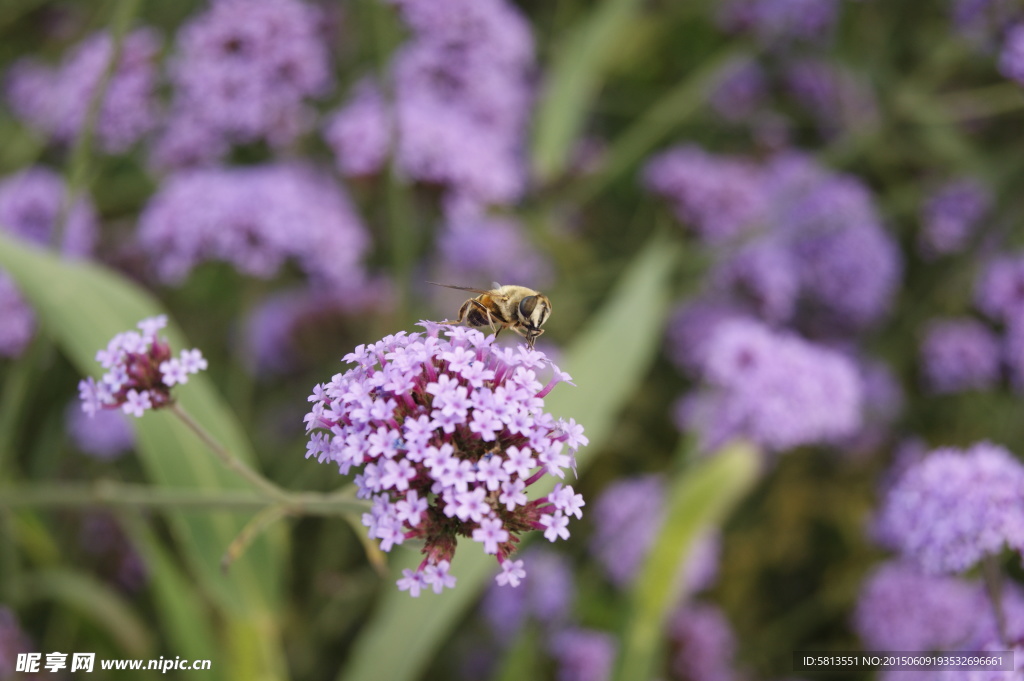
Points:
545	595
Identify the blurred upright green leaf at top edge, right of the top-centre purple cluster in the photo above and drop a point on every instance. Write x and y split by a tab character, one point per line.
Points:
574	81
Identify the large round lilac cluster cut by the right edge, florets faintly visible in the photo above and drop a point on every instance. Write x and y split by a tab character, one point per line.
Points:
953	509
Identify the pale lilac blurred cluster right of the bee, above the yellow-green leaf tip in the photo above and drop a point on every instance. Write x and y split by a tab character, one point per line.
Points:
774	388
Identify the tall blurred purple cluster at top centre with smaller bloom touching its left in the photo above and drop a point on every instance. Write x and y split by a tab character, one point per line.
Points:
461	101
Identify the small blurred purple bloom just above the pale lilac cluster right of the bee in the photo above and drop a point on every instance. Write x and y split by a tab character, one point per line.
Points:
763	276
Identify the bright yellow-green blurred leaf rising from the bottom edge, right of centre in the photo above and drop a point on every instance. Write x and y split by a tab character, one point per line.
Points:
699	500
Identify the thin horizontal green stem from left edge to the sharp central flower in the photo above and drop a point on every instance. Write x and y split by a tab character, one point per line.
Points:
115	495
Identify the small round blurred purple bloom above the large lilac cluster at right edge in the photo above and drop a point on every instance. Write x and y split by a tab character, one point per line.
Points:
960	355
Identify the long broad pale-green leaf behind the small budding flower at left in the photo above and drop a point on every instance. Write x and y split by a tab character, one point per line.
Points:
83	306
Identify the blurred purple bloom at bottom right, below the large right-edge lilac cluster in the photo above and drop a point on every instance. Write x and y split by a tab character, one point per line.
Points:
901	609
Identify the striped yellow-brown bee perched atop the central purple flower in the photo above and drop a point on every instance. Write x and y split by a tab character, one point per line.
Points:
517	308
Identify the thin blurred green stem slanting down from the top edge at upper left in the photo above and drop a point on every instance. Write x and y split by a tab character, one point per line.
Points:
81	155
